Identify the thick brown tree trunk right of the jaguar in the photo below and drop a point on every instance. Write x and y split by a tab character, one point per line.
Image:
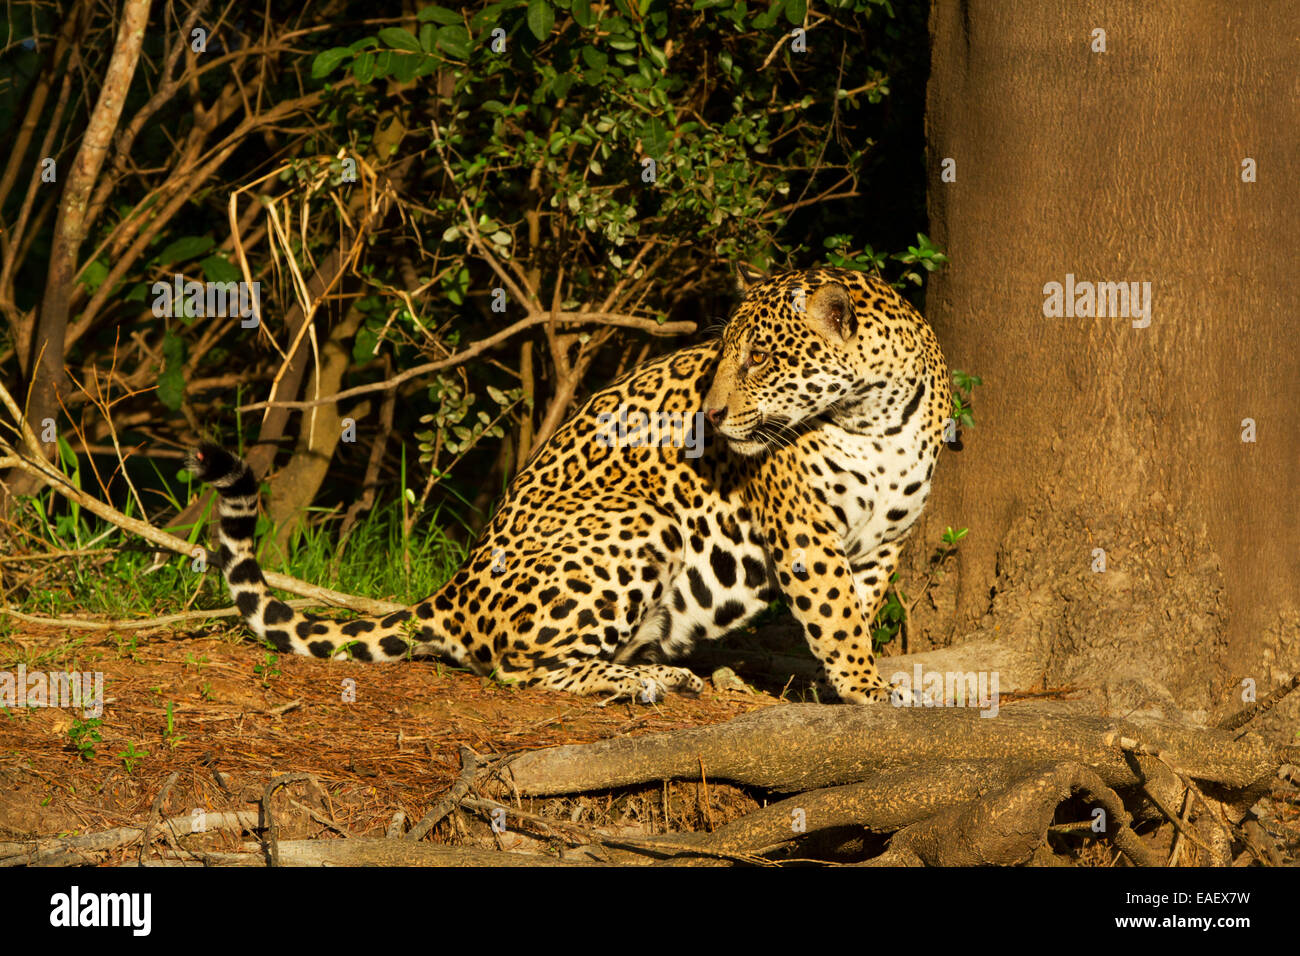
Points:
1098	438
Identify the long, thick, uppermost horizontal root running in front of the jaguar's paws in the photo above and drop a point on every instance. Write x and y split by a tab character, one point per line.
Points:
807	746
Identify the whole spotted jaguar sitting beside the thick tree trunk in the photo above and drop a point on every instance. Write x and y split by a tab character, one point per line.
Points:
826	400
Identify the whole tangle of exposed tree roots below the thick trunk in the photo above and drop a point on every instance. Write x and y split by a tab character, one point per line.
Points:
954	788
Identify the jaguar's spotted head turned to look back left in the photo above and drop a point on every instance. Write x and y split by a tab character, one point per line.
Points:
790	356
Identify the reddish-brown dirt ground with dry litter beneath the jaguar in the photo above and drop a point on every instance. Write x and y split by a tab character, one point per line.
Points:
380	739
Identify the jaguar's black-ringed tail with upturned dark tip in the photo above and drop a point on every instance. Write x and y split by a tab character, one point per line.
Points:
287	629
